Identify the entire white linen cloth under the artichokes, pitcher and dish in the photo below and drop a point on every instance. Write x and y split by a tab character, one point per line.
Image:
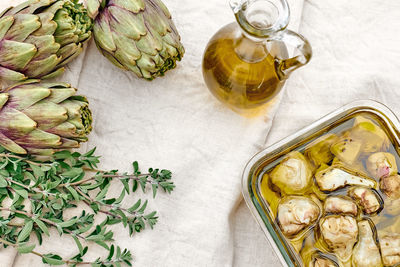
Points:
174	122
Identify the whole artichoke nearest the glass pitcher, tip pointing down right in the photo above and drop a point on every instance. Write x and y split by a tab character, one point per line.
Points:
136	35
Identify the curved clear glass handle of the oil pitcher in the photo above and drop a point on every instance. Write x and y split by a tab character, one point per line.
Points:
297	41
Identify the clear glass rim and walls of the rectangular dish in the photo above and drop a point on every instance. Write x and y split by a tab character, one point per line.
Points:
267	159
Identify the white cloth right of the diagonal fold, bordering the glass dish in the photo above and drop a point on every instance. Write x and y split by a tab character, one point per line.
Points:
356	55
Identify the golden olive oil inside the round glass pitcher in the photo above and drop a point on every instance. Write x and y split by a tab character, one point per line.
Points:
240	71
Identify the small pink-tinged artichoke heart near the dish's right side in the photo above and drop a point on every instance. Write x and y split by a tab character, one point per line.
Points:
381	164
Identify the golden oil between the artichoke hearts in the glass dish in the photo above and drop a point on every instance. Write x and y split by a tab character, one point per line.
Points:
386	221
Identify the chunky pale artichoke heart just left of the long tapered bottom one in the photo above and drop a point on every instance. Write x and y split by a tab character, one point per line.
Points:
340	234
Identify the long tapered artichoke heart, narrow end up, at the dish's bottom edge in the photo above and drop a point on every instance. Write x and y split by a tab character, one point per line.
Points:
366	252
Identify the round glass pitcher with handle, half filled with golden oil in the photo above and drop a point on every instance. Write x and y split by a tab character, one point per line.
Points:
246	63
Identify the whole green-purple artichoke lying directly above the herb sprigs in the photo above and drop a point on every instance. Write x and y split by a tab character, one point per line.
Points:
40	119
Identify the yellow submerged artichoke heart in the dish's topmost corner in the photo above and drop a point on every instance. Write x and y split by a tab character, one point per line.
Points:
373	138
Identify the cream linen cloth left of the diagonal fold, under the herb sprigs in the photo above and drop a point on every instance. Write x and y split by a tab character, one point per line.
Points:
172	122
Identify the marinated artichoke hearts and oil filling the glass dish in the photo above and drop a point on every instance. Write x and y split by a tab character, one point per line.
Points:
335	197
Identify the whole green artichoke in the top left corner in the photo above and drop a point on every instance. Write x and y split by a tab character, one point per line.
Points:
39	37
